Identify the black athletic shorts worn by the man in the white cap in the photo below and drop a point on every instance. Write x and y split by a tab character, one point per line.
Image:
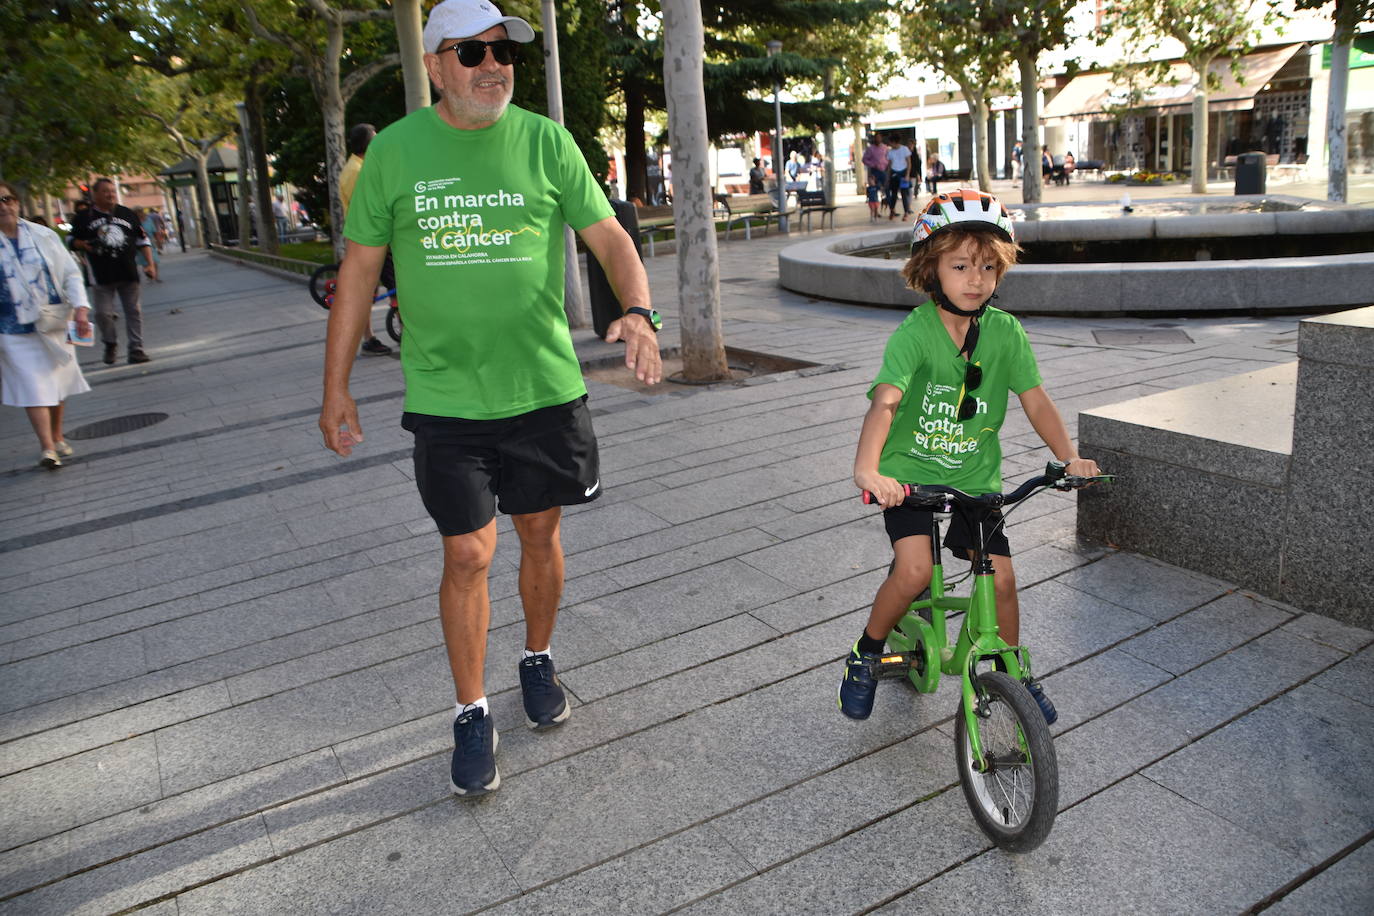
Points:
469	469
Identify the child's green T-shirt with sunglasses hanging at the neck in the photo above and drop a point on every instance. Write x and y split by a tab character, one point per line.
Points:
928	444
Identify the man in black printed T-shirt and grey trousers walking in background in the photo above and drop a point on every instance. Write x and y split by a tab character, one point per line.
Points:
111	236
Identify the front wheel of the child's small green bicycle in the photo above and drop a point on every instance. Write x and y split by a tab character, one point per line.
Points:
1017	799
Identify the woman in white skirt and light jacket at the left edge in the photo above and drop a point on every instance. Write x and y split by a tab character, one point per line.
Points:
38	365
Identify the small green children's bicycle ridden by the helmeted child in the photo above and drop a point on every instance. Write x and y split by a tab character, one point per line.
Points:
1002	744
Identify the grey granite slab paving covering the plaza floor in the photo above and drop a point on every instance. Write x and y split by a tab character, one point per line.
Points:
223	685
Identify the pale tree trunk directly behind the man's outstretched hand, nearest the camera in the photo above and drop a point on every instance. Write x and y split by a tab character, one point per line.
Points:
699	268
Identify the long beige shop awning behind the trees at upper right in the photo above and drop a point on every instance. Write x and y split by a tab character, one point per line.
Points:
1099	94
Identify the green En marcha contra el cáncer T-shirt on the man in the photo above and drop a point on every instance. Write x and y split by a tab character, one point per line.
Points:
476	226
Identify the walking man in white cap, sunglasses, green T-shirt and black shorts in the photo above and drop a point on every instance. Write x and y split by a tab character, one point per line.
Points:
472	196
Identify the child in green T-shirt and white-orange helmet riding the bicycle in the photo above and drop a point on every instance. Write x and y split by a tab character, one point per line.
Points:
935	417
